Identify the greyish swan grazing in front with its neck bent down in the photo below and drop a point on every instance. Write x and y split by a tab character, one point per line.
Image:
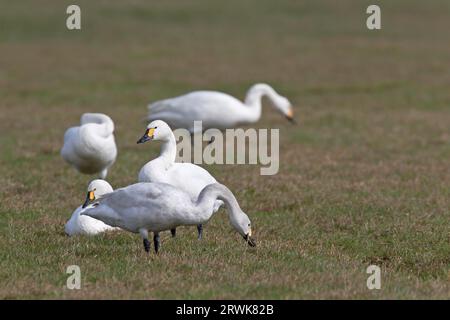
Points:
156	207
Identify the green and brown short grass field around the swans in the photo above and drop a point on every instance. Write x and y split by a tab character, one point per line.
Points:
364	177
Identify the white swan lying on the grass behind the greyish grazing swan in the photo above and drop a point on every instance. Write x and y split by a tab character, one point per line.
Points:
84	225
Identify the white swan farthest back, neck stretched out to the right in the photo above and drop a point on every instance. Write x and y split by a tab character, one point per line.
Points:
216	109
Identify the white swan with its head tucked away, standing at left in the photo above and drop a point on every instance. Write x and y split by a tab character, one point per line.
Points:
91	147
